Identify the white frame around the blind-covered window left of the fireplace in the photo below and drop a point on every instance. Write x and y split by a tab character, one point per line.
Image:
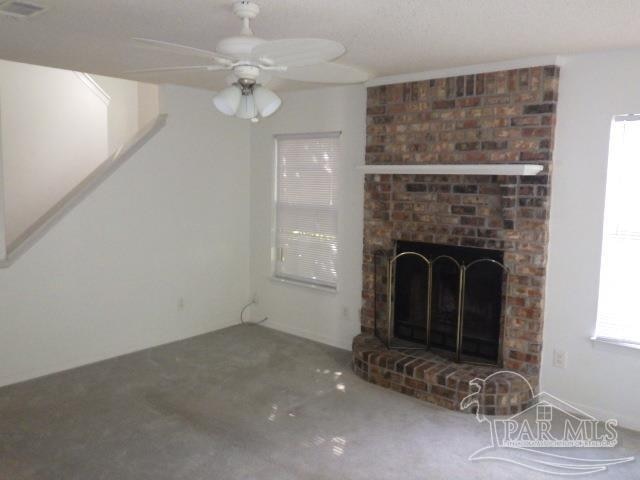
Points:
290	279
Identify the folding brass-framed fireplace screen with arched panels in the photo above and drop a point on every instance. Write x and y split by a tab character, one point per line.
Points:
457	334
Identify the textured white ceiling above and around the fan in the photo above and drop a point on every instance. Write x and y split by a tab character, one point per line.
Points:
382	36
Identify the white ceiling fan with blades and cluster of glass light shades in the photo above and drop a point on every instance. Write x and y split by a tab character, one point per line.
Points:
253	60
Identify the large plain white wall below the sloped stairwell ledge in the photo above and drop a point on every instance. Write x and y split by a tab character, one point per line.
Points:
172	222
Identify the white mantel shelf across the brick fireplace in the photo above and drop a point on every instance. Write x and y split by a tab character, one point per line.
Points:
455	169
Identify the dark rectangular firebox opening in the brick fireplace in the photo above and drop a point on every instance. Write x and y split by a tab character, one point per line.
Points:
482	283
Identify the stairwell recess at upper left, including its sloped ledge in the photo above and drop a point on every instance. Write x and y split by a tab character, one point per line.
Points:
62	133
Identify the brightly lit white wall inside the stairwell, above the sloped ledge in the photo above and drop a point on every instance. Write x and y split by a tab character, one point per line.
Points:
54	133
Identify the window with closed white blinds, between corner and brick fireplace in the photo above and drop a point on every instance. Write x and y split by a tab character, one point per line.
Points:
306	213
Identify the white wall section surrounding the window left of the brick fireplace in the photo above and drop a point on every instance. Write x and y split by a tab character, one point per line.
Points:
332	318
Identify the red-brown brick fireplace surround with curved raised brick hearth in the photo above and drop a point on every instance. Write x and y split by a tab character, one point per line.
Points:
491	118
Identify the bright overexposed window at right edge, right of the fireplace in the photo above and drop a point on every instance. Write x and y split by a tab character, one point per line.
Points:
618	314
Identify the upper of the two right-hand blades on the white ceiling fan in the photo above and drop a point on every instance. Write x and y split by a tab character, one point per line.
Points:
297	52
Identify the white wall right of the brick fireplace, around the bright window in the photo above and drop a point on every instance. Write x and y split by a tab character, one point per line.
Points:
604	379
